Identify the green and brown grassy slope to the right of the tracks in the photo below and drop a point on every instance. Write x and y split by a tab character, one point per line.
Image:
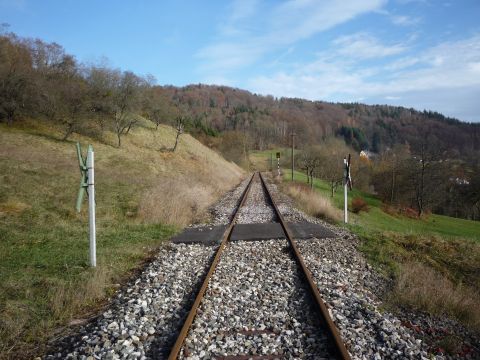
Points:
434	261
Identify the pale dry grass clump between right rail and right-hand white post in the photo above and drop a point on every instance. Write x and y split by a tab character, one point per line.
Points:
313	203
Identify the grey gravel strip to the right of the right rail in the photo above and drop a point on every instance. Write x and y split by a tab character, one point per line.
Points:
354	291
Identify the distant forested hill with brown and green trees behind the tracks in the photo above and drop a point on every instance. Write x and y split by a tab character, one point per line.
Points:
270	121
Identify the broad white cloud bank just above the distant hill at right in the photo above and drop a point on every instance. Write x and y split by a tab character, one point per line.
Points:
450	67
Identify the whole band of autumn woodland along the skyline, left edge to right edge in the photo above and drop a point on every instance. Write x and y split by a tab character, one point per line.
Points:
41	81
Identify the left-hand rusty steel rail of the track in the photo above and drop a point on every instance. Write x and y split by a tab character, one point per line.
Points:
193	311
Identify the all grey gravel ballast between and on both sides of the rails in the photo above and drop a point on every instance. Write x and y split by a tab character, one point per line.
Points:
256	302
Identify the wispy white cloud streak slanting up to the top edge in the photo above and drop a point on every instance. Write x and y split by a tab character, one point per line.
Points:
245	39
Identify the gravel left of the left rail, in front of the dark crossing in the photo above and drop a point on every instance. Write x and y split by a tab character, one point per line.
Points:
144	317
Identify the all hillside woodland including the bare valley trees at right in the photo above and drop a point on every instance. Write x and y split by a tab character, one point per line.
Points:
41	83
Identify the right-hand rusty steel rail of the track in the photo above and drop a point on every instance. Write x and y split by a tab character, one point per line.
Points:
340	349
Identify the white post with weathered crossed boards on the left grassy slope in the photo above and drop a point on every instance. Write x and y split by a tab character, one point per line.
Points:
87	184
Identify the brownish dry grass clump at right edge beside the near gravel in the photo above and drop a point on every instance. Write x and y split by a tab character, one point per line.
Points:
421	287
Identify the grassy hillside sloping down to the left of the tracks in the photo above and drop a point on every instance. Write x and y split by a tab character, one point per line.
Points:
143	196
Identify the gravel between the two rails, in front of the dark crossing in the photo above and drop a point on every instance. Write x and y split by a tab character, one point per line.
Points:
256	304
